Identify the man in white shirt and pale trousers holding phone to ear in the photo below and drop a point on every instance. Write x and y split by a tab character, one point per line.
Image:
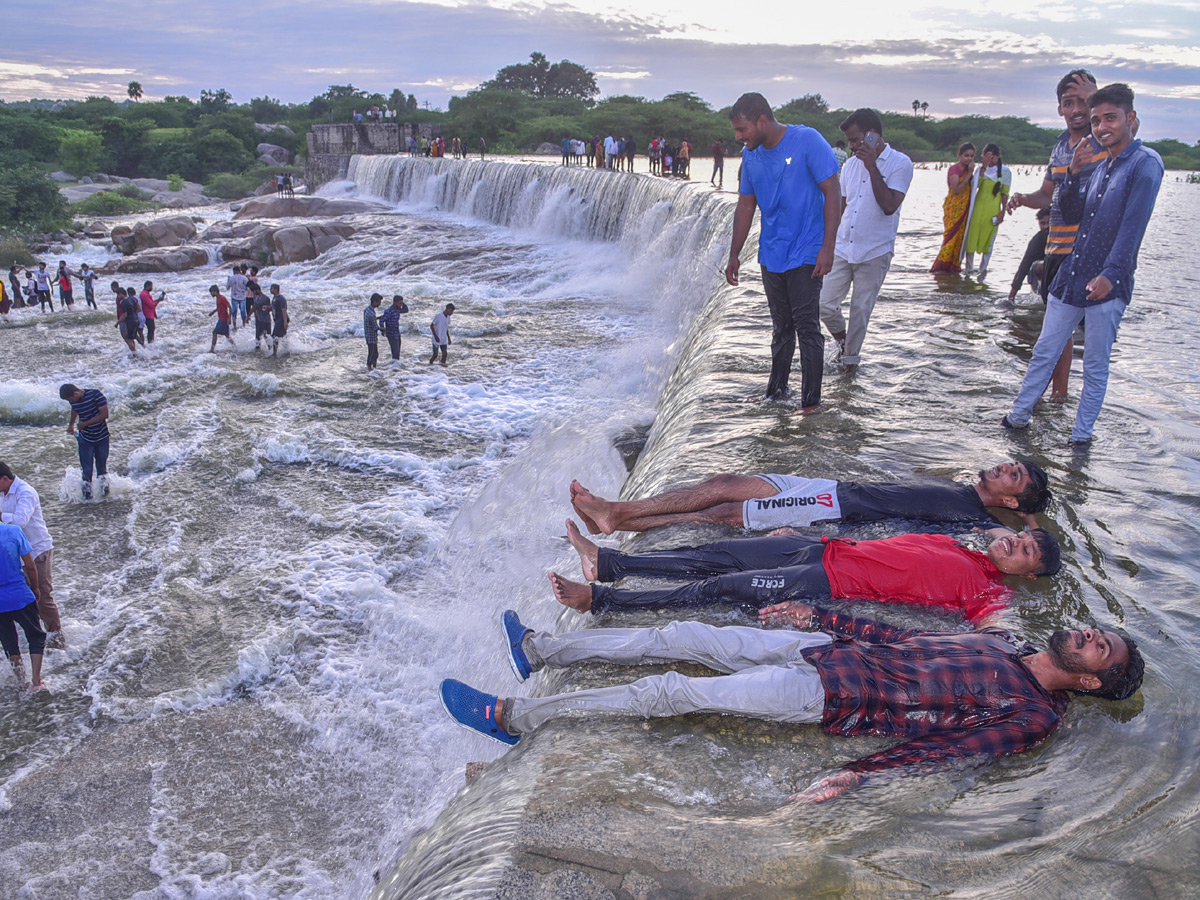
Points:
874	183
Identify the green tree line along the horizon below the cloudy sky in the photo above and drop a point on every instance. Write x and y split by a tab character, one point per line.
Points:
213	140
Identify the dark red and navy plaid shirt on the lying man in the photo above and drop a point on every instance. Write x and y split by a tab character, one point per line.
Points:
947	695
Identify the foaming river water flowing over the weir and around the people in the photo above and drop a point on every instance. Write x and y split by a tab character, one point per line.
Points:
295	554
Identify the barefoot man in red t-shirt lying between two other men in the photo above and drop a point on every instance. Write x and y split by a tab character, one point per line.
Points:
919	569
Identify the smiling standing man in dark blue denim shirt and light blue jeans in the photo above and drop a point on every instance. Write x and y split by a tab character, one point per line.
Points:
1096	283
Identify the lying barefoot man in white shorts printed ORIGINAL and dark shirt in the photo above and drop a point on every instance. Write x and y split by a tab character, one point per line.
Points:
766	502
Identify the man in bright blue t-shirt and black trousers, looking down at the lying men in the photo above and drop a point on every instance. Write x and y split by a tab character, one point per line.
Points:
790	175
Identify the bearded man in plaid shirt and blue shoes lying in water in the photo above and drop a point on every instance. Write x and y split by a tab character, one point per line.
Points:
945	697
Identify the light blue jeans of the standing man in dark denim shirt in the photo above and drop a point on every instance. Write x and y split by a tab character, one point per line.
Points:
1060	323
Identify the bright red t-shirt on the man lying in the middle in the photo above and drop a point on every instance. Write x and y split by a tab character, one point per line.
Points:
919	569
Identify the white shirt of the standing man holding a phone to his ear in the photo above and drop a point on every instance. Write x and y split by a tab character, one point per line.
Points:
866	233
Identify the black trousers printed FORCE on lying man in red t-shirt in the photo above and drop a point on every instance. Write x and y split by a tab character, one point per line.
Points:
754	572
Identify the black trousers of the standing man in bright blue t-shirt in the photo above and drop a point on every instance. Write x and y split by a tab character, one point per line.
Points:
795	302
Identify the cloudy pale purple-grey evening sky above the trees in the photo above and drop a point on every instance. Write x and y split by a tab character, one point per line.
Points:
993	59
